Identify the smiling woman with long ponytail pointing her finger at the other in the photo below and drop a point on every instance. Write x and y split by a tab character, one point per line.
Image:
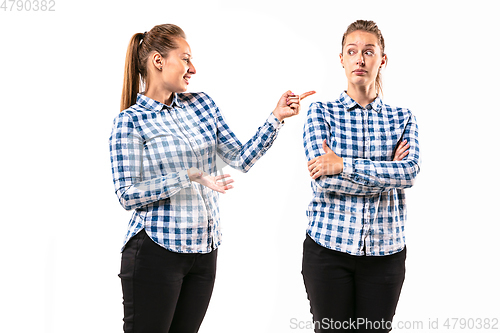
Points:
163	151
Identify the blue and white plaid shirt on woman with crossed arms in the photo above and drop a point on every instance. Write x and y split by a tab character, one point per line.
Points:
361	210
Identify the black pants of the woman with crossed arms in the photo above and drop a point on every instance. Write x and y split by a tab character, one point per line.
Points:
351	293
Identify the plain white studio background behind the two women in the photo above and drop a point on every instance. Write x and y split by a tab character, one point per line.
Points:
62	226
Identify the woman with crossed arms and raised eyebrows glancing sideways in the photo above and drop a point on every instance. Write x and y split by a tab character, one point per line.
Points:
361	155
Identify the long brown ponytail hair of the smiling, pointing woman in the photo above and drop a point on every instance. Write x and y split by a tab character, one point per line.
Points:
160	39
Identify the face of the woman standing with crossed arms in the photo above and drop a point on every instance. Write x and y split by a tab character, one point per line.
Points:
362	58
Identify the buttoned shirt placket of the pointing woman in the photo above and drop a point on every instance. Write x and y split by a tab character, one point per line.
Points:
173	111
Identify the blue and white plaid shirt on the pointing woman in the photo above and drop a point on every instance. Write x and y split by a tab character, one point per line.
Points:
152	145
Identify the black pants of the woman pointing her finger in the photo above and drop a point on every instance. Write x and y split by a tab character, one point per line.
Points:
164	291
